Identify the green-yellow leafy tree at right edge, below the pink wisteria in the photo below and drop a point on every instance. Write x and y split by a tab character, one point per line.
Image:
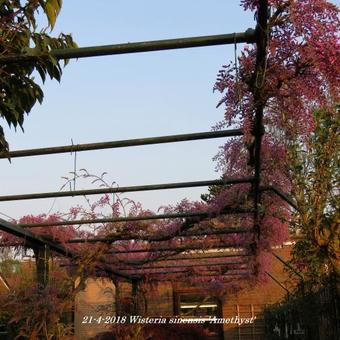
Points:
315	165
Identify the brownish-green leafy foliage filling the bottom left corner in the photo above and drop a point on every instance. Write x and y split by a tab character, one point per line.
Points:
49	306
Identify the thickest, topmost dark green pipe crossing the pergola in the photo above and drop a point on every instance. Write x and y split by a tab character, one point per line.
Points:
145	46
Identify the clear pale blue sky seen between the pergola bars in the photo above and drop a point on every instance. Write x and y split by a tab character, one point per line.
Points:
128	96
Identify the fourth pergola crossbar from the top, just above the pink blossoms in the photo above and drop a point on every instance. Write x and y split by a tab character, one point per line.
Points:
198	214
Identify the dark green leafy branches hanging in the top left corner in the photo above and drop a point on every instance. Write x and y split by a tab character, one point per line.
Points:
19	91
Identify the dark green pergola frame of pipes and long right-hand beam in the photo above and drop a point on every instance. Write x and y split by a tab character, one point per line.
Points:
258	36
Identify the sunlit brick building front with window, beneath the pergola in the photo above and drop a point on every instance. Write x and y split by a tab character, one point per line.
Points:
236	316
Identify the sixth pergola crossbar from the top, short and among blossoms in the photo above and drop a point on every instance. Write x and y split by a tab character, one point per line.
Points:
178	249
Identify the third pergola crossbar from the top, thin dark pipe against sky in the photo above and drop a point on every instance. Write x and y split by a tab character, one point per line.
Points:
135	188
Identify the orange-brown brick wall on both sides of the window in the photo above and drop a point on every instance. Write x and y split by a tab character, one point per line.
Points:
247	303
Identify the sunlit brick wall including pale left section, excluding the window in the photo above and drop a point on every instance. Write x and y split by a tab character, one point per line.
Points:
247	303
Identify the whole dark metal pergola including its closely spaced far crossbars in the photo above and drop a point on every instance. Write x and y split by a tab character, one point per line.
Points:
171	259
